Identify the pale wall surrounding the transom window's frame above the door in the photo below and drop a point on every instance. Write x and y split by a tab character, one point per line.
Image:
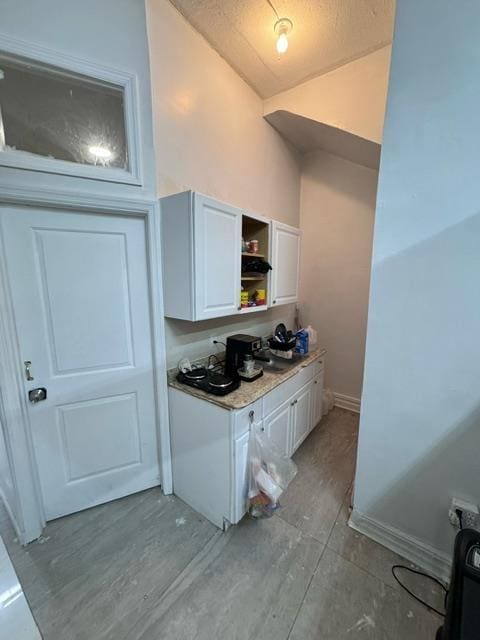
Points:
110	33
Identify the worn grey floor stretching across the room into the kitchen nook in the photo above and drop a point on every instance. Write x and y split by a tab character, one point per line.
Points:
149	568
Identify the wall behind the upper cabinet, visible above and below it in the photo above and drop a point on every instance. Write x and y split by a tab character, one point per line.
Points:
210	136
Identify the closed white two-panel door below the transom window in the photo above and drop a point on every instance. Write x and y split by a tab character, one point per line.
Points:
79	286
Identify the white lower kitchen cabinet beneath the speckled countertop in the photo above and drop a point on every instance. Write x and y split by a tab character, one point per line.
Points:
210	444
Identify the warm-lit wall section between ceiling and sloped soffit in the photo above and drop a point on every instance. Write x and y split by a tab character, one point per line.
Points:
351	98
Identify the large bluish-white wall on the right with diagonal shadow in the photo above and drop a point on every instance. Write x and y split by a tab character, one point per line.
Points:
420	421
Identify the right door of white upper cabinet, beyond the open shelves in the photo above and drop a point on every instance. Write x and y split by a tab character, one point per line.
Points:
285	263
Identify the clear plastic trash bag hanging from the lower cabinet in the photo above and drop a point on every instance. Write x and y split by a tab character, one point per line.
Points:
270	473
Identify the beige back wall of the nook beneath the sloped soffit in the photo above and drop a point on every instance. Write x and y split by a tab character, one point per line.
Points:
336	217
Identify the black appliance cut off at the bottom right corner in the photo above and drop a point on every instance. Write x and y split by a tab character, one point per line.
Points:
462	619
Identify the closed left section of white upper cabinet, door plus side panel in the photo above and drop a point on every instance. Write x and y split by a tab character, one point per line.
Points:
201	247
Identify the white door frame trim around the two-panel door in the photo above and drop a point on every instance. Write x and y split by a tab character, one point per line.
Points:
29	519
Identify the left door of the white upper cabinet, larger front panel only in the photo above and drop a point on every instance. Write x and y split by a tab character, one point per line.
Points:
217	247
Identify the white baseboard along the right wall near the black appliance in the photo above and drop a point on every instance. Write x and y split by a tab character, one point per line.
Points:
420	553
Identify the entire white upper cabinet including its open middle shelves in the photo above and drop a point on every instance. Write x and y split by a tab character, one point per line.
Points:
207	273
